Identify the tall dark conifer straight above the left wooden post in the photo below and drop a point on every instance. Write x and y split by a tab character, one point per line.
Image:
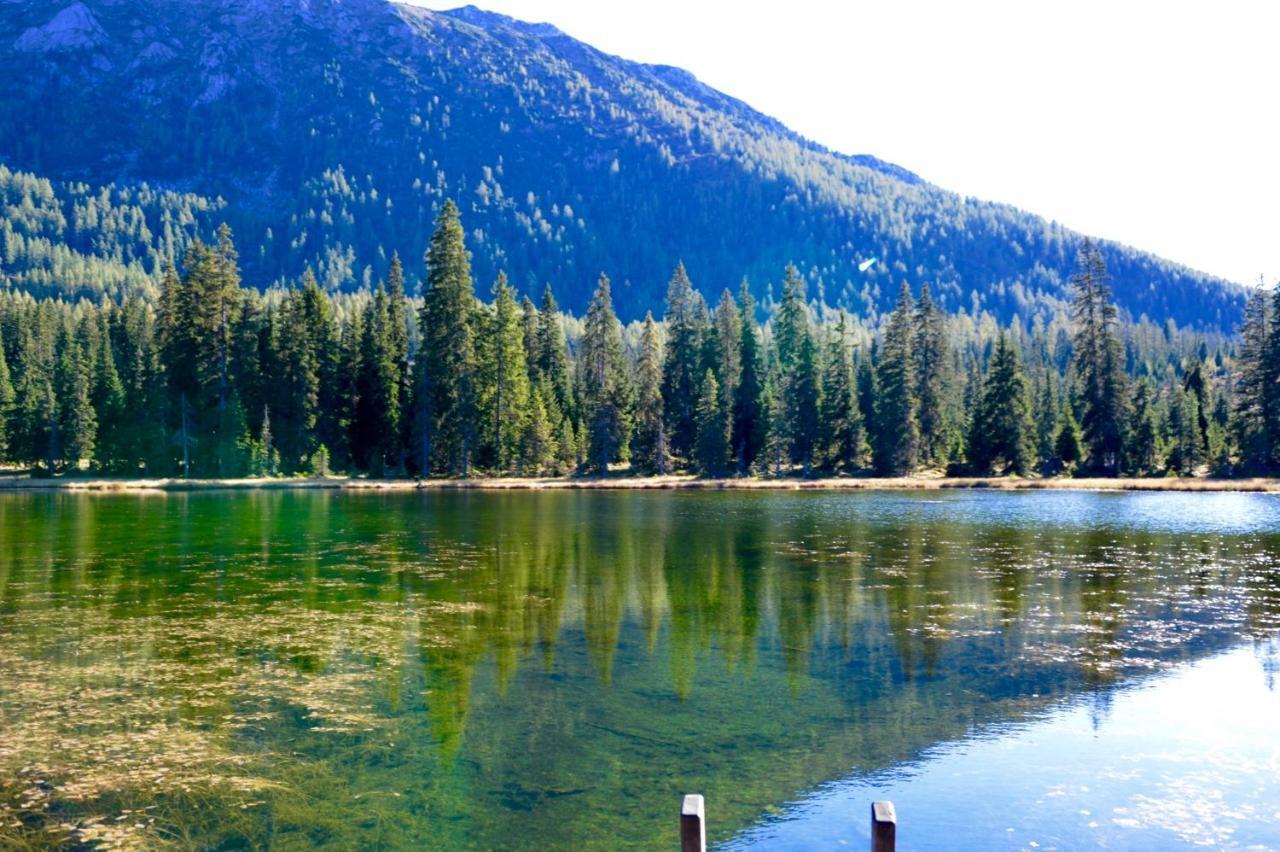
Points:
683	369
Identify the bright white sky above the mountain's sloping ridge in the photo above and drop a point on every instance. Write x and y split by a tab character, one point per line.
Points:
1156	125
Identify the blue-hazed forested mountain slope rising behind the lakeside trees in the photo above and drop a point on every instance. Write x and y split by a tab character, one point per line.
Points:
328	134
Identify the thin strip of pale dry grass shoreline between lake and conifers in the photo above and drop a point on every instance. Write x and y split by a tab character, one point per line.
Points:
671	483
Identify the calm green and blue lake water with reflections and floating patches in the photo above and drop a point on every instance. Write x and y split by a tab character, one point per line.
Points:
556	670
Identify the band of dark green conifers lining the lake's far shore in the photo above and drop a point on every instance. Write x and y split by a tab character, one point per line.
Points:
213	379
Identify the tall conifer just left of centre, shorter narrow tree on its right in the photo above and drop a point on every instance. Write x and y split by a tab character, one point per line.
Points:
606	393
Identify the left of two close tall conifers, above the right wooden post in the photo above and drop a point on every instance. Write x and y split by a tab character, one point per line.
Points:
897	446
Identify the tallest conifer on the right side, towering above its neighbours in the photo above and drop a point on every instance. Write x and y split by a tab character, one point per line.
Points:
1100	360
